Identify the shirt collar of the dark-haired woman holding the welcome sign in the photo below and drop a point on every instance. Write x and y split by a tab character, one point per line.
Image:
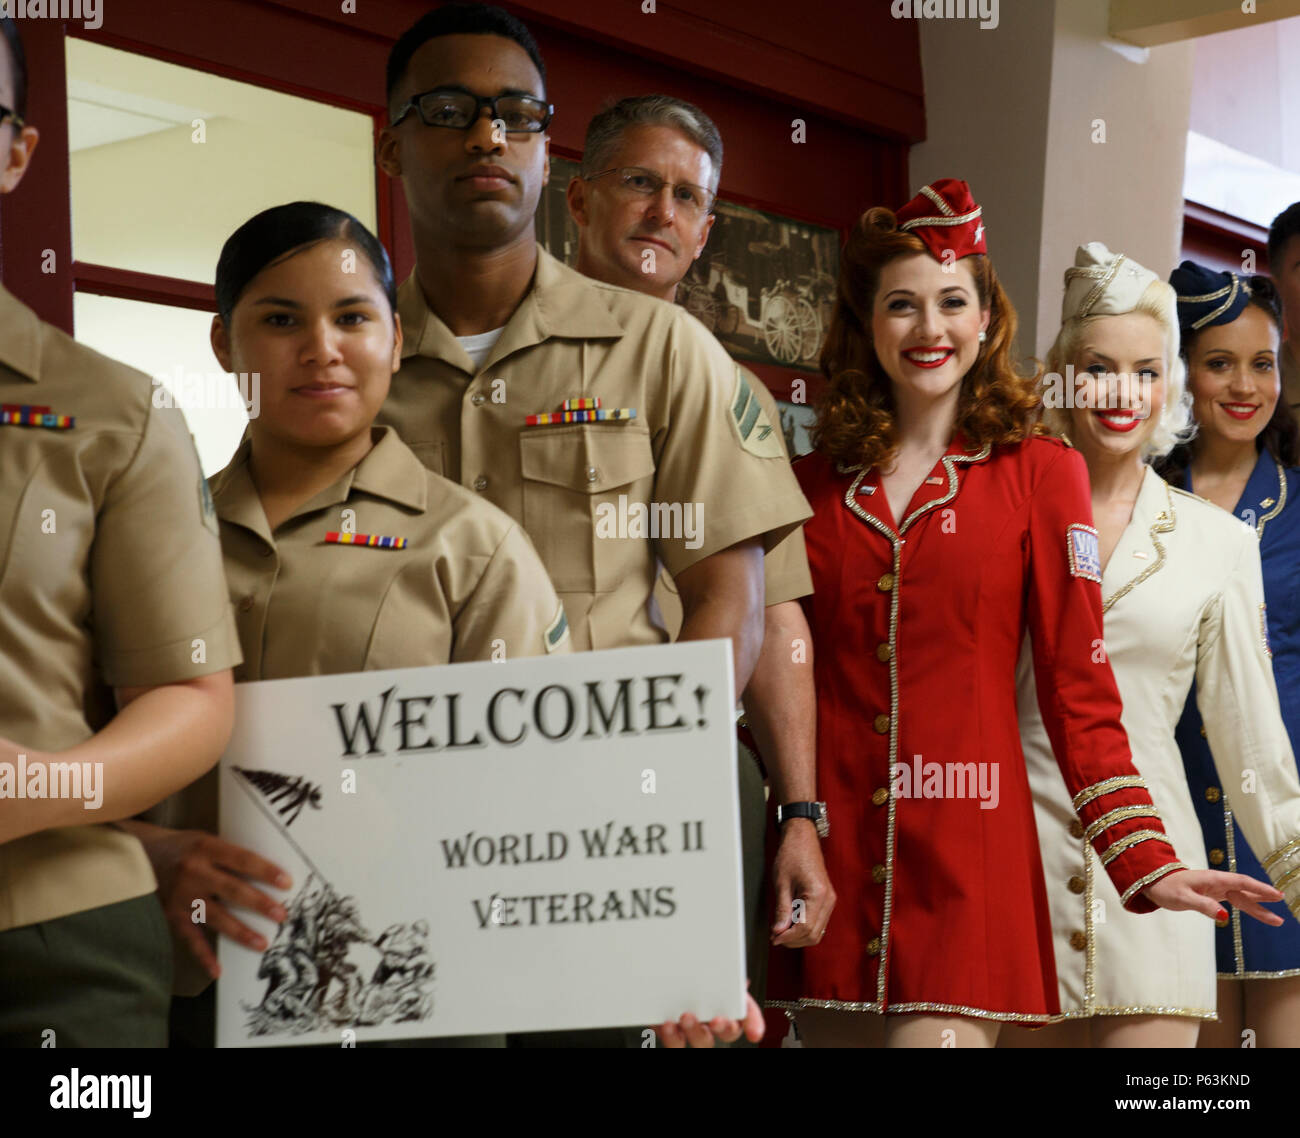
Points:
391	470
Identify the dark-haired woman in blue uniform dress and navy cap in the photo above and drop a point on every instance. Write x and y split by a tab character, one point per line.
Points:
1245	458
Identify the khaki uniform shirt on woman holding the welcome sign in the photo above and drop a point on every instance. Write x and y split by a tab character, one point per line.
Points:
466	586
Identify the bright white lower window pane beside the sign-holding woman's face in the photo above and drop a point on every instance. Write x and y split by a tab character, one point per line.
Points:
171	347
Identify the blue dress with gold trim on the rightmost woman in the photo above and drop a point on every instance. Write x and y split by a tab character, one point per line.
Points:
1246	949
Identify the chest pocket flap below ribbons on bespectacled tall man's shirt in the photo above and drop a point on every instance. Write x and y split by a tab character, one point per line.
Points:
587	460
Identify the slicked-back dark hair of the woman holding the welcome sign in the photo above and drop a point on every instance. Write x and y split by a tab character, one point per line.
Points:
285	230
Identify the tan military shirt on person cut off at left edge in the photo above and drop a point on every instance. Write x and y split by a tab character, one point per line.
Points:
110	578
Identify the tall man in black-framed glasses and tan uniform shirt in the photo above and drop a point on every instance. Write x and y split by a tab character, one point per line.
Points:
501	337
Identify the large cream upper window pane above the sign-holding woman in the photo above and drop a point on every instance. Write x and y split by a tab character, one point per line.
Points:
168	162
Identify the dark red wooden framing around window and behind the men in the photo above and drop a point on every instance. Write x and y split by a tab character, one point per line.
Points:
278	45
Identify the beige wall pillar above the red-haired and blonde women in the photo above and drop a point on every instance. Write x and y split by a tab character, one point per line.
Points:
1022	137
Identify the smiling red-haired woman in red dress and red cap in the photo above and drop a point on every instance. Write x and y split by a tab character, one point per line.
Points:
947	530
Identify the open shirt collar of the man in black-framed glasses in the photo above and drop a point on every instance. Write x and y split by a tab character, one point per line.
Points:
560	304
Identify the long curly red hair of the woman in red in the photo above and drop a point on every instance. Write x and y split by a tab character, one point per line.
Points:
856	419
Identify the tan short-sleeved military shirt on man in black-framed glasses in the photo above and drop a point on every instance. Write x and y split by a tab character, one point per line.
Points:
697	470
